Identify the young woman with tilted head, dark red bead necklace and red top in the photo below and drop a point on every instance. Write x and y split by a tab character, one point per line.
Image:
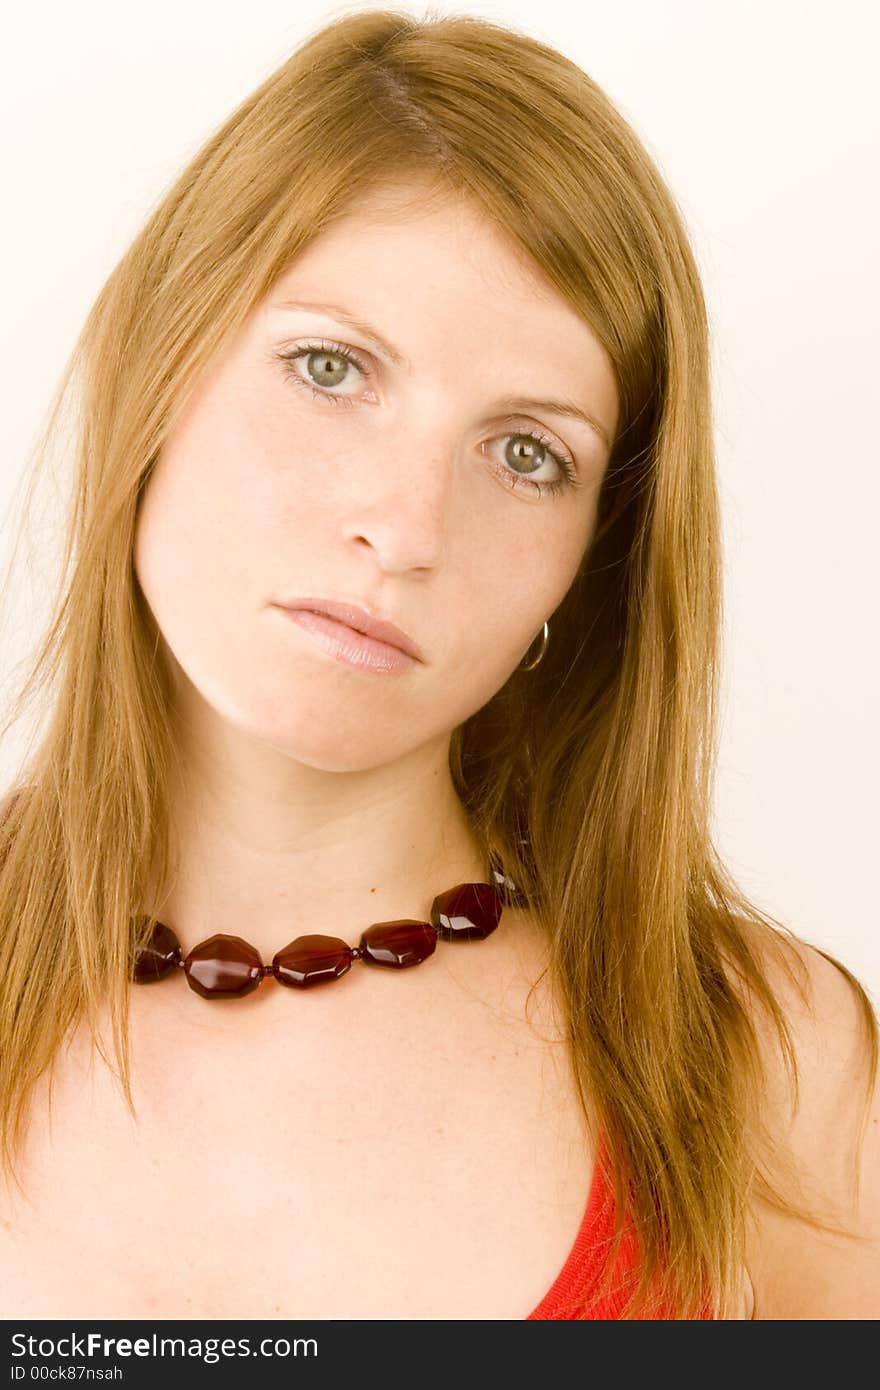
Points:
394	569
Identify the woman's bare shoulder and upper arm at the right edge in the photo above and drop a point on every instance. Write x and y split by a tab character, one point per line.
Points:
820	1157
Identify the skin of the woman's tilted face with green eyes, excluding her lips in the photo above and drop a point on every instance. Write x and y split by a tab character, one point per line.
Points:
416	477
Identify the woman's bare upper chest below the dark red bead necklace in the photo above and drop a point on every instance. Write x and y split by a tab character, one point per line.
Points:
409	1157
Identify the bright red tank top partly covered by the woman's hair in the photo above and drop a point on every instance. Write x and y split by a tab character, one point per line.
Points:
572	1293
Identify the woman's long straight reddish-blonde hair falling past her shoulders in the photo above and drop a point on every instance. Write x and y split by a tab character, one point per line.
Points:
592	775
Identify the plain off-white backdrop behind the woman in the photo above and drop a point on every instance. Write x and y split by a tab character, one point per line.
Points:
764	122
